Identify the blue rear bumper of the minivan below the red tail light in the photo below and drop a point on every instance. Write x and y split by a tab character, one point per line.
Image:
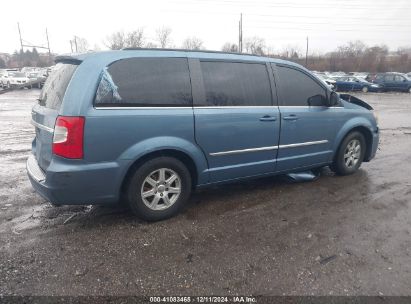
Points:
65	183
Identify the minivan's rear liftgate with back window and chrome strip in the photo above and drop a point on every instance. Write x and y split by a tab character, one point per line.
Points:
45	112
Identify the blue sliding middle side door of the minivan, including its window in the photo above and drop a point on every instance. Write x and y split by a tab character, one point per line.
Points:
236	121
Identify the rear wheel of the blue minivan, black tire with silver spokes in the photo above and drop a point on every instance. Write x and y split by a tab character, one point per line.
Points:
137	183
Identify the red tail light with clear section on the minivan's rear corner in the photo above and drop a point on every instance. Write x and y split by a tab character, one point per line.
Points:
68	137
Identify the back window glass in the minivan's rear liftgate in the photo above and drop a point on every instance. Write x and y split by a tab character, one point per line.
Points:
56	84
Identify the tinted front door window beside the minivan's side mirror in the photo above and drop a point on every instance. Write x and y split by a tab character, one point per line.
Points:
299	89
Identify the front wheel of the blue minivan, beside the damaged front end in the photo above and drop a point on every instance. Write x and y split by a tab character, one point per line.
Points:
340	165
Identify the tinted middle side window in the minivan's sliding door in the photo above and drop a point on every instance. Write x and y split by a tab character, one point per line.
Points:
236	84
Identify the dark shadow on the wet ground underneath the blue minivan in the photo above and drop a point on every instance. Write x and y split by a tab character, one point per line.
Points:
202	204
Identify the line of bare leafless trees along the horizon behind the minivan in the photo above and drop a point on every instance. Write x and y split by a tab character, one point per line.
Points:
354	56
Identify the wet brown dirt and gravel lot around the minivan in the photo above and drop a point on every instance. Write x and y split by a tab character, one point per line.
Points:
332	236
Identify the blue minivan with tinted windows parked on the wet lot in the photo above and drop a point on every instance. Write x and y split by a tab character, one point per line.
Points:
147	126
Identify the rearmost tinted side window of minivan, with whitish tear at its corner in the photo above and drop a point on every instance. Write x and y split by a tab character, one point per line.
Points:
145	82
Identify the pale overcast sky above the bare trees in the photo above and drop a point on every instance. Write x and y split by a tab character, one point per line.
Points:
282	23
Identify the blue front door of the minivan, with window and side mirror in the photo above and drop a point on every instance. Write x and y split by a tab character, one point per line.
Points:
308	127
